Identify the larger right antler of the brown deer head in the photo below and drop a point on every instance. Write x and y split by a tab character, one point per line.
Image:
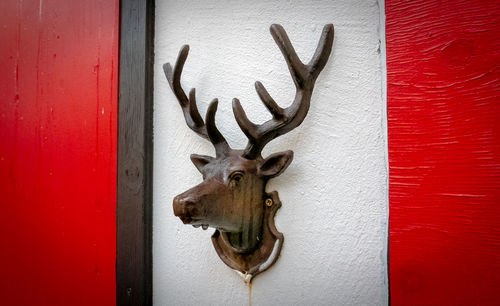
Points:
304	76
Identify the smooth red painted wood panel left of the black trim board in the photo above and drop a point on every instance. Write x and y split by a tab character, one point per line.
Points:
58	106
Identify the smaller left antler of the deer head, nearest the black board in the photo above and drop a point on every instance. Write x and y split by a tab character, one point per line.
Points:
191	114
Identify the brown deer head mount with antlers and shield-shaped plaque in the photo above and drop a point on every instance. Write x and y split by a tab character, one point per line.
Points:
232	197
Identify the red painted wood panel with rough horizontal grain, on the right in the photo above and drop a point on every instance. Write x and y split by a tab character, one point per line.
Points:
443	79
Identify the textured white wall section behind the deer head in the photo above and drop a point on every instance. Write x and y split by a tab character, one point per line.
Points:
334	214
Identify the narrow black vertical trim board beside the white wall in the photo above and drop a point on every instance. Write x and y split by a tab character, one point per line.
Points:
135	154
